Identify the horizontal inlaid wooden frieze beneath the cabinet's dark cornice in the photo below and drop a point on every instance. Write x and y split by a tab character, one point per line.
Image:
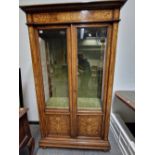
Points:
74	16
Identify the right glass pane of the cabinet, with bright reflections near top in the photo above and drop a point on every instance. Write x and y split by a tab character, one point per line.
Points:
91	49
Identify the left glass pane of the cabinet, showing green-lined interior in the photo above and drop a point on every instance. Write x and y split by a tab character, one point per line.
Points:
53	53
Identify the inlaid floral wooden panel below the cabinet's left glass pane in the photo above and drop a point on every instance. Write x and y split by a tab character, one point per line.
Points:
58	125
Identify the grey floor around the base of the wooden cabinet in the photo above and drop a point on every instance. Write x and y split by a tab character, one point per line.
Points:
54	151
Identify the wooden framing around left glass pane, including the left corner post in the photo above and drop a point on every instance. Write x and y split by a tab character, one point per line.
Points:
36	60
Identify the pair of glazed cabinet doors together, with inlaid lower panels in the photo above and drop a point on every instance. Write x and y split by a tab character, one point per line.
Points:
74	63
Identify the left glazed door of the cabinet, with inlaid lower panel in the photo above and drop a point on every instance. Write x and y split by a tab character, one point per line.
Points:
56	76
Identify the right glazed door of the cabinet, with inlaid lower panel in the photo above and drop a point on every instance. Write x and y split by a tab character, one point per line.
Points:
90	46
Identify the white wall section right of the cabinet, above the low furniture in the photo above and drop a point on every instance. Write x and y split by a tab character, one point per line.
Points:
125	58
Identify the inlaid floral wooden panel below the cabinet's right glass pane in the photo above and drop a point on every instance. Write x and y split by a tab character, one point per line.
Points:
89	125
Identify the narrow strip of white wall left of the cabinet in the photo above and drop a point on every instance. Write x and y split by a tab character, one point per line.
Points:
25	64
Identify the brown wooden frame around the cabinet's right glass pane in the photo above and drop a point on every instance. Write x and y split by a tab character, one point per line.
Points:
105	77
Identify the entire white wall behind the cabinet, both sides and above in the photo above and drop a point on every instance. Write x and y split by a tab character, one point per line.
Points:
125	58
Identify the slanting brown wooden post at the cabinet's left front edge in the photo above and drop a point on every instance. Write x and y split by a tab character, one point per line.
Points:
38	78
